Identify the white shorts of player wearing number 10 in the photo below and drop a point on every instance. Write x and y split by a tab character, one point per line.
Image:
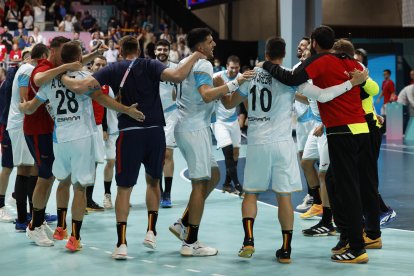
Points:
276	164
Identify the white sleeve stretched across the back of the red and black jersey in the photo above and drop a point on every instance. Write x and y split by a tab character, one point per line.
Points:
324	95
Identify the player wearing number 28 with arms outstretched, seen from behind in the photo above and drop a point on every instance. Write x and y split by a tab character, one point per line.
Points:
73	136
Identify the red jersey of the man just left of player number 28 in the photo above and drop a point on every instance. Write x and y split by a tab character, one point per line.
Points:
39	122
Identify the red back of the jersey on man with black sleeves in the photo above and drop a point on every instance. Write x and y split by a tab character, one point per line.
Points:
329	70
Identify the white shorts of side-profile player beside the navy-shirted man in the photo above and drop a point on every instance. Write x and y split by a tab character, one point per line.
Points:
195	146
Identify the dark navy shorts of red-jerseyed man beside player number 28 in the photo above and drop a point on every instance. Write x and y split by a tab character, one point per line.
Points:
41	148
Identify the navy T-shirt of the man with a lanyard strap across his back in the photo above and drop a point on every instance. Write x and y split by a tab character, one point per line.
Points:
141	86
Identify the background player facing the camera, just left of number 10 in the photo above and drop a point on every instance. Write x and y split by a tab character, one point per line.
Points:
227	130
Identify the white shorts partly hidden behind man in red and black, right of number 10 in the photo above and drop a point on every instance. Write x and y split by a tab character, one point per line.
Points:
317	148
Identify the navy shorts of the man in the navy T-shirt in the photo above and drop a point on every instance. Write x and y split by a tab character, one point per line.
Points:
133	147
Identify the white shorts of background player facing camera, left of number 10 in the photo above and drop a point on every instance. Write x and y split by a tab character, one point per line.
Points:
227	134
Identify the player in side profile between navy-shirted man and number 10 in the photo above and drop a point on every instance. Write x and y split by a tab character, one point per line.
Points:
195	103
